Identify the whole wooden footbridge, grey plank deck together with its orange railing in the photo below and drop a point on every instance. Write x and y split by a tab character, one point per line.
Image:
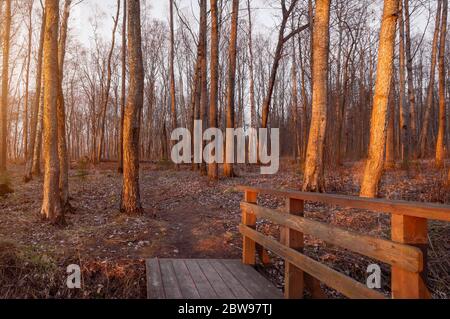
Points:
405	252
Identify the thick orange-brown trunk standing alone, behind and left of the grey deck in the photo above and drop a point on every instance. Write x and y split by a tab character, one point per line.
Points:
131	201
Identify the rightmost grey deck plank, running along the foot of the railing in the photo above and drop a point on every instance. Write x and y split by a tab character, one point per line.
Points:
258	286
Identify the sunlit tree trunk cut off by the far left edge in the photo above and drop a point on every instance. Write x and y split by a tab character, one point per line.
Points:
5	87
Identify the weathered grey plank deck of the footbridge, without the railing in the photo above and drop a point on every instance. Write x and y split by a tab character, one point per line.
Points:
206	279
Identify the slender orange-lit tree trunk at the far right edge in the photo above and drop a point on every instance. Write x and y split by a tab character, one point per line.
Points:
440	145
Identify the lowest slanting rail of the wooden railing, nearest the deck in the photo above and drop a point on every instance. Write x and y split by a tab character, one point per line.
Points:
346	285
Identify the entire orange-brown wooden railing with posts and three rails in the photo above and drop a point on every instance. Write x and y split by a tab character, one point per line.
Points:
406	252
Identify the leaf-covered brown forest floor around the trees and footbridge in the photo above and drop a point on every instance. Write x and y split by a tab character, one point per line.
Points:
186	216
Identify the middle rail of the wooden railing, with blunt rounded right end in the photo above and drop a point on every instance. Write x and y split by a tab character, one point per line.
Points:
395	254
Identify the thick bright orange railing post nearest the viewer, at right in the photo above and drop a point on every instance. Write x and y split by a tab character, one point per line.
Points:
412	231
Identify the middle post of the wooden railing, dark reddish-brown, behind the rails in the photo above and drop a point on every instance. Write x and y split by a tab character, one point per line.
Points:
294	277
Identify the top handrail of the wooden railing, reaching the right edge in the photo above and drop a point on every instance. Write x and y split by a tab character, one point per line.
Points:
417	209
